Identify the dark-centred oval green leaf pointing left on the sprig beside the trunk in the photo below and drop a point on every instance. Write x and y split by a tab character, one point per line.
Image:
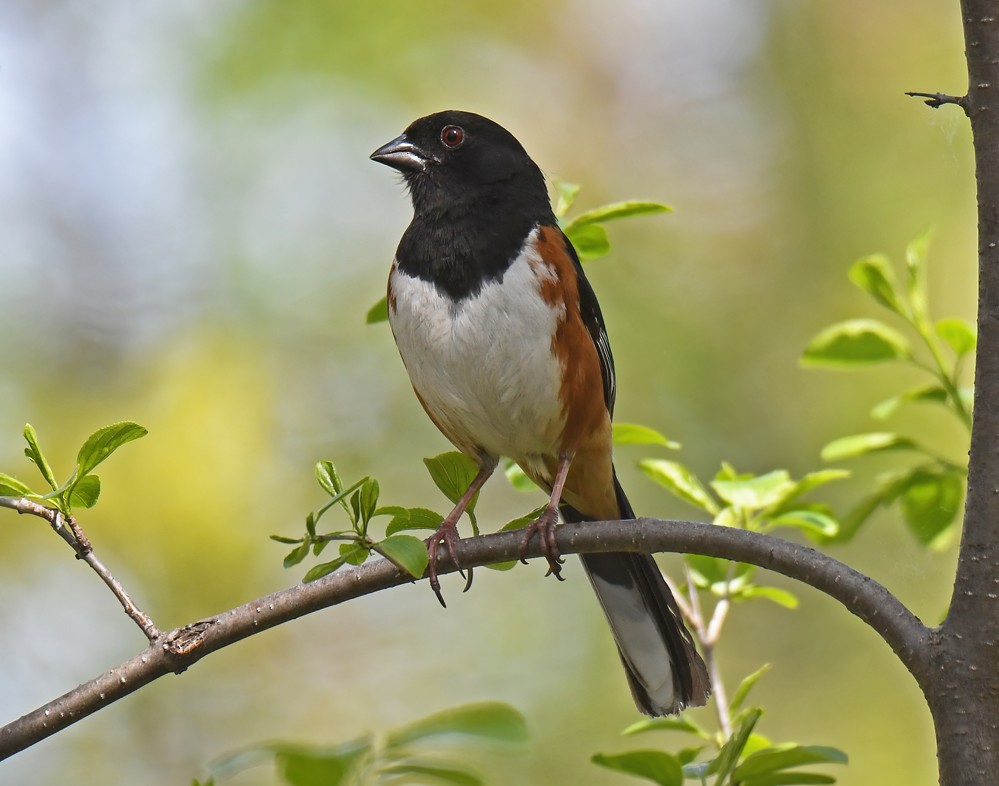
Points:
855	343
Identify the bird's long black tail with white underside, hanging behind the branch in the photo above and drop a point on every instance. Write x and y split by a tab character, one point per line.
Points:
664	670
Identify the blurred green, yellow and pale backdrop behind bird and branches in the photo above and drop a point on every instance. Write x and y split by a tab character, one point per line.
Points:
191	233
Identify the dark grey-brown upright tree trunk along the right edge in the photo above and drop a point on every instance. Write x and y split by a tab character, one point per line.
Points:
962	683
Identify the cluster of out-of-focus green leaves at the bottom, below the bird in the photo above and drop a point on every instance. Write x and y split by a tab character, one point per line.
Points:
402	756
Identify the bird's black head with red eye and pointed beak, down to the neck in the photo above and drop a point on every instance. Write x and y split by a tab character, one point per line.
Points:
452	158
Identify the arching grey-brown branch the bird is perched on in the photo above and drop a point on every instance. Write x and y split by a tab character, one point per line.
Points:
183	647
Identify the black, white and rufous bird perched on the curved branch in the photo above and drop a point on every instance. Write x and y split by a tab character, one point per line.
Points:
507	351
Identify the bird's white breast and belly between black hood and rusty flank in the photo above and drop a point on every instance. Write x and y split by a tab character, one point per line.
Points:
484	367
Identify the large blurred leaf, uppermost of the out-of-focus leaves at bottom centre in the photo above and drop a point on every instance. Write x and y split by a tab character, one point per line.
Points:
490	720
